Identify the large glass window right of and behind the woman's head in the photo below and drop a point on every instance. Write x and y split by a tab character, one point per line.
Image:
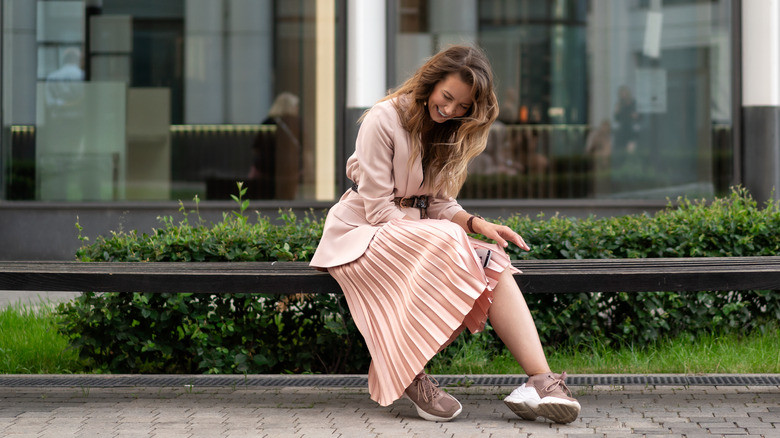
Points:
599	98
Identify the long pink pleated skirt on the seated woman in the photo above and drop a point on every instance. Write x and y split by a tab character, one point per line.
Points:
416	285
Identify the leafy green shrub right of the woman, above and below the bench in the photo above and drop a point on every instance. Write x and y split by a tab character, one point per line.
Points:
730	226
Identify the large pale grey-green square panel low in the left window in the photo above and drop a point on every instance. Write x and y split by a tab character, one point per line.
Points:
80	141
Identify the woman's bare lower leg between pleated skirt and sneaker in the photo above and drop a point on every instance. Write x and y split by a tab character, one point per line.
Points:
510	317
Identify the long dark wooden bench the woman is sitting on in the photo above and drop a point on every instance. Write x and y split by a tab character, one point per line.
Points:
539	276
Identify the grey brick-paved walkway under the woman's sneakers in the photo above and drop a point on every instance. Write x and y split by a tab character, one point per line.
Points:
179	412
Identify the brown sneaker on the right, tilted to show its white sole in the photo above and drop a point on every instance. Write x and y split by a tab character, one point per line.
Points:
544	395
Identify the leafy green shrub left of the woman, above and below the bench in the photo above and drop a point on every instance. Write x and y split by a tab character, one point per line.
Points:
225	333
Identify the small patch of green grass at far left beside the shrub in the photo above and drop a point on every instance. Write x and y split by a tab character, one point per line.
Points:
31	344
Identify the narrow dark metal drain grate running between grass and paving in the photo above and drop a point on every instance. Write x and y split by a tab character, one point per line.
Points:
351	381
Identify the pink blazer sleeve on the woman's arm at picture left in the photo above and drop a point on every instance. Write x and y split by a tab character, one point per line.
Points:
374	149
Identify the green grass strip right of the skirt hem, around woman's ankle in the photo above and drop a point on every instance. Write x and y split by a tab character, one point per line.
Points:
730	354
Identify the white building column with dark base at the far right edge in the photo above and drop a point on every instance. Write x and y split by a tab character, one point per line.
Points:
761	98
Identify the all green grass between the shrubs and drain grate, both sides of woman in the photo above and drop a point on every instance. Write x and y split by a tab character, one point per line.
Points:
31	344
